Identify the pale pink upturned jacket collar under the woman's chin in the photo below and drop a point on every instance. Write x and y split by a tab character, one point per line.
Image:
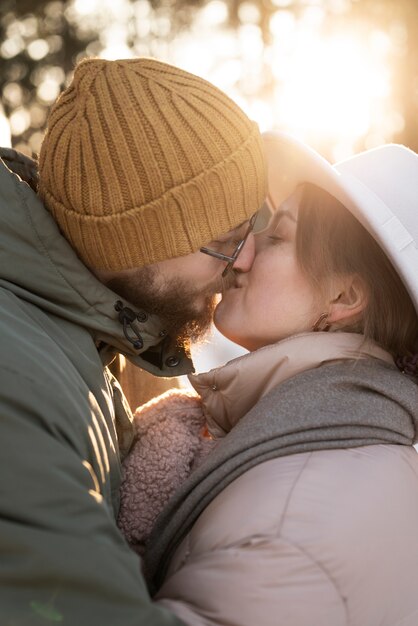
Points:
230	391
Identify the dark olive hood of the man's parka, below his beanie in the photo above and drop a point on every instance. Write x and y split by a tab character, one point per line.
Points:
39	266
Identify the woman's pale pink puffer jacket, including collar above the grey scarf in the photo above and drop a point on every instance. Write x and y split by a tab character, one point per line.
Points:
295	540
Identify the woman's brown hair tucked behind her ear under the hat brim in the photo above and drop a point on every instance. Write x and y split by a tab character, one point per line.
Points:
331	241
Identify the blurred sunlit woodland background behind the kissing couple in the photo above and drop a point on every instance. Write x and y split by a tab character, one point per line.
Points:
340	74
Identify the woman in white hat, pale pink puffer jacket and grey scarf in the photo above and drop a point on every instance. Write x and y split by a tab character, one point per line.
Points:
306	510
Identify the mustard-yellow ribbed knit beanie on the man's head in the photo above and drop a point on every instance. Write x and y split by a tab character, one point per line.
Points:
143	162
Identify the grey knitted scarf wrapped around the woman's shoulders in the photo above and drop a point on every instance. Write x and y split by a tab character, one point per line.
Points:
338	405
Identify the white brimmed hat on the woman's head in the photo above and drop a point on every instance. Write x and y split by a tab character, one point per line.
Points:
379	187
